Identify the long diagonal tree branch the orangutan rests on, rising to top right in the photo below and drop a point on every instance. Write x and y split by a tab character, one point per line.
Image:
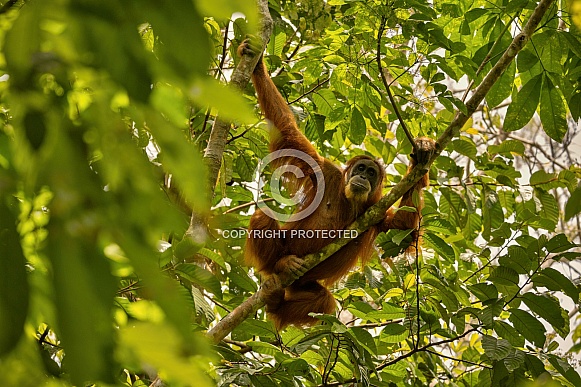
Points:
377	212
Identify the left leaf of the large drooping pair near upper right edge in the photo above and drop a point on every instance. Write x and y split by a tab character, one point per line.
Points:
521	110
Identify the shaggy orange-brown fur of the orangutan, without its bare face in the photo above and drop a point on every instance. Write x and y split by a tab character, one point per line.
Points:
336	211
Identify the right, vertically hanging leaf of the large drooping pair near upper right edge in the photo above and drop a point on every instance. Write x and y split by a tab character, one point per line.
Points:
553	112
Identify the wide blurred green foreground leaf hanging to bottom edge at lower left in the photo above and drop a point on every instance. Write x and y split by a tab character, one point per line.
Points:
82	278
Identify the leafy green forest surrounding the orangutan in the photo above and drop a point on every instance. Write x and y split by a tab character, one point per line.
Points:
129	142
